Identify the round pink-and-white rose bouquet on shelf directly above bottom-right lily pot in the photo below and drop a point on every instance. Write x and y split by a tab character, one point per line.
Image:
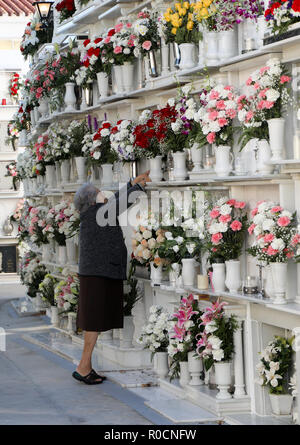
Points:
275	234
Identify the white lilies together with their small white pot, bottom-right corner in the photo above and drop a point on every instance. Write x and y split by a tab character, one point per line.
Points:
273	370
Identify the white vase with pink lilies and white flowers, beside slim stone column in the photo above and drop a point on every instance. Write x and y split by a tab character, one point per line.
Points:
216	345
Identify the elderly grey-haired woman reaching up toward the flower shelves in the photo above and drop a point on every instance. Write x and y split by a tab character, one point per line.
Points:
102	266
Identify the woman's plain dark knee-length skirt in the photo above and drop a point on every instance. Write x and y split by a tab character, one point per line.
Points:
100	306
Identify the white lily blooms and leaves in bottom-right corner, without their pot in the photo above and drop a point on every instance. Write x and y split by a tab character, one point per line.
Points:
275	365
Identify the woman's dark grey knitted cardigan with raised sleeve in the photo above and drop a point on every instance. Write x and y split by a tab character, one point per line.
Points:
102	250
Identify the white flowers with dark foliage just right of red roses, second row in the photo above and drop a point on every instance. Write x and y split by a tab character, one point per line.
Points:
184	130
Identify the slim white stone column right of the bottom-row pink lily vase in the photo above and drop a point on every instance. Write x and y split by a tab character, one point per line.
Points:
239	382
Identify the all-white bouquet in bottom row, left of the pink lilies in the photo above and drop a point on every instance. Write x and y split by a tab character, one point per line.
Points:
155	334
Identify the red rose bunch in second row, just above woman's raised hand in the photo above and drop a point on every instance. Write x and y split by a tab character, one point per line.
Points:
151	131
